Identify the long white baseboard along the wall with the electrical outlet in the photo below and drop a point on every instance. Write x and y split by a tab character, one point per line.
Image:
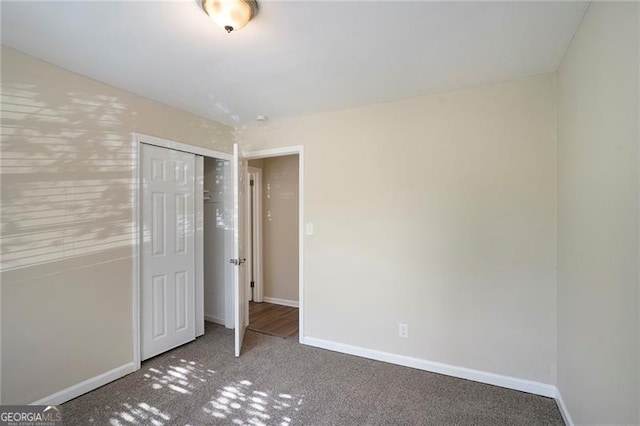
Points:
437	367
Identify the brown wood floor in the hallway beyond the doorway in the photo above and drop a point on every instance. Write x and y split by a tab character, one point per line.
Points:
275	320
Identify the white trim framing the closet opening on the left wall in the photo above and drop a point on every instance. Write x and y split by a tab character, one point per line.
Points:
137	139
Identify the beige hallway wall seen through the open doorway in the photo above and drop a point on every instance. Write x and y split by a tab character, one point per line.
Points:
280	227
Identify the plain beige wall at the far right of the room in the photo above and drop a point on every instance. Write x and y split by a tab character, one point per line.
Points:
598	330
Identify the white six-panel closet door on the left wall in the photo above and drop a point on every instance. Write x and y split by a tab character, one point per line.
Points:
167	289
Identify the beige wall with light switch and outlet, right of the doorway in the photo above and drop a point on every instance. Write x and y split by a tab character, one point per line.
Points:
437	211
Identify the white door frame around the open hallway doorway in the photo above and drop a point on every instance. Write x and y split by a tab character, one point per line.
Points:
279	152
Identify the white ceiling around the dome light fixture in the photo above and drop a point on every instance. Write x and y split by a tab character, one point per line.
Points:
295	57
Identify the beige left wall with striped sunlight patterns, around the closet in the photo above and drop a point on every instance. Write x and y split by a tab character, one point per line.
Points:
66	221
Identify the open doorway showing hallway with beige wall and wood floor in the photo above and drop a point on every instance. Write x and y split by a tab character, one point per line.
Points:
274	244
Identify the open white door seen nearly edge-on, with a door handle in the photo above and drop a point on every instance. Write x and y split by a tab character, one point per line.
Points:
241	318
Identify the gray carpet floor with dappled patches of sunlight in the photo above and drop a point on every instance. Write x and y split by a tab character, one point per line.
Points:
280	382
